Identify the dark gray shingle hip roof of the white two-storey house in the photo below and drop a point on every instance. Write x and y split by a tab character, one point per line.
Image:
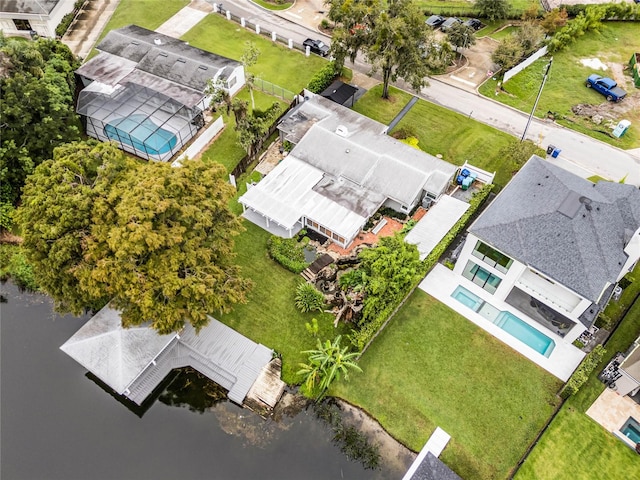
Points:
562	225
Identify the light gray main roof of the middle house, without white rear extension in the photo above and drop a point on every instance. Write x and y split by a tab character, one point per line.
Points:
362	154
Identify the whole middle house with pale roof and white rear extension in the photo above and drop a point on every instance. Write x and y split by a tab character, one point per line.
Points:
342	169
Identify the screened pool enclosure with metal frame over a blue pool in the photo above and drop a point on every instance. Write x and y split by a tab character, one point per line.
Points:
142	121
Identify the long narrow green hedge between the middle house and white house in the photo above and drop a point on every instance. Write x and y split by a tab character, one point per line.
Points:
361	338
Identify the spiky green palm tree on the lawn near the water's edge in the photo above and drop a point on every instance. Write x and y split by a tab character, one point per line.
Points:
327	363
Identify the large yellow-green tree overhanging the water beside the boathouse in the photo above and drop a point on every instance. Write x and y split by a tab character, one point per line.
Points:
155	240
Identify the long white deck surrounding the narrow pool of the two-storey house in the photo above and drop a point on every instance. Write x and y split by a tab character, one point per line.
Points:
441	282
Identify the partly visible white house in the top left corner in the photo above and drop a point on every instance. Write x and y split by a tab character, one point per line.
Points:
21	17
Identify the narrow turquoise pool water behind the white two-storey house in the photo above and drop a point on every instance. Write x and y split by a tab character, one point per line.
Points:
508	322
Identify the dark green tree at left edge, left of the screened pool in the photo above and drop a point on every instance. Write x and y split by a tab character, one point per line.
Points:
36	108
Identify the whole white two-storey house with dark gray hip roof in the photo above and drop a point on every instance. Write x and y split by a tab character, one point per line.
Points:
553	246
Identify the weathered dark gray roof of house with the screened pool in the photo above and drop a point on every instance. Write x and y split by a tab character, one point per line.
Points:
166	57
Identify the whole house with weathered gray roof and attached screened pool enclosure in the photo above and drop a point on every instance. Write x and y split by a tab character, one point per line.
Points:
147	91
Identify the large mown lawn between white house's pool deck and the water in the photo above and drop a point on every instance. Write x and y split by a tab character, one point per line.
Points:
431	367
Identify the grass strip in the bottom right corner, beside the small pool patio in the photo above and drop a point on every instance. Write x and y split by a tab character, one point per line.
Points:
574	447
